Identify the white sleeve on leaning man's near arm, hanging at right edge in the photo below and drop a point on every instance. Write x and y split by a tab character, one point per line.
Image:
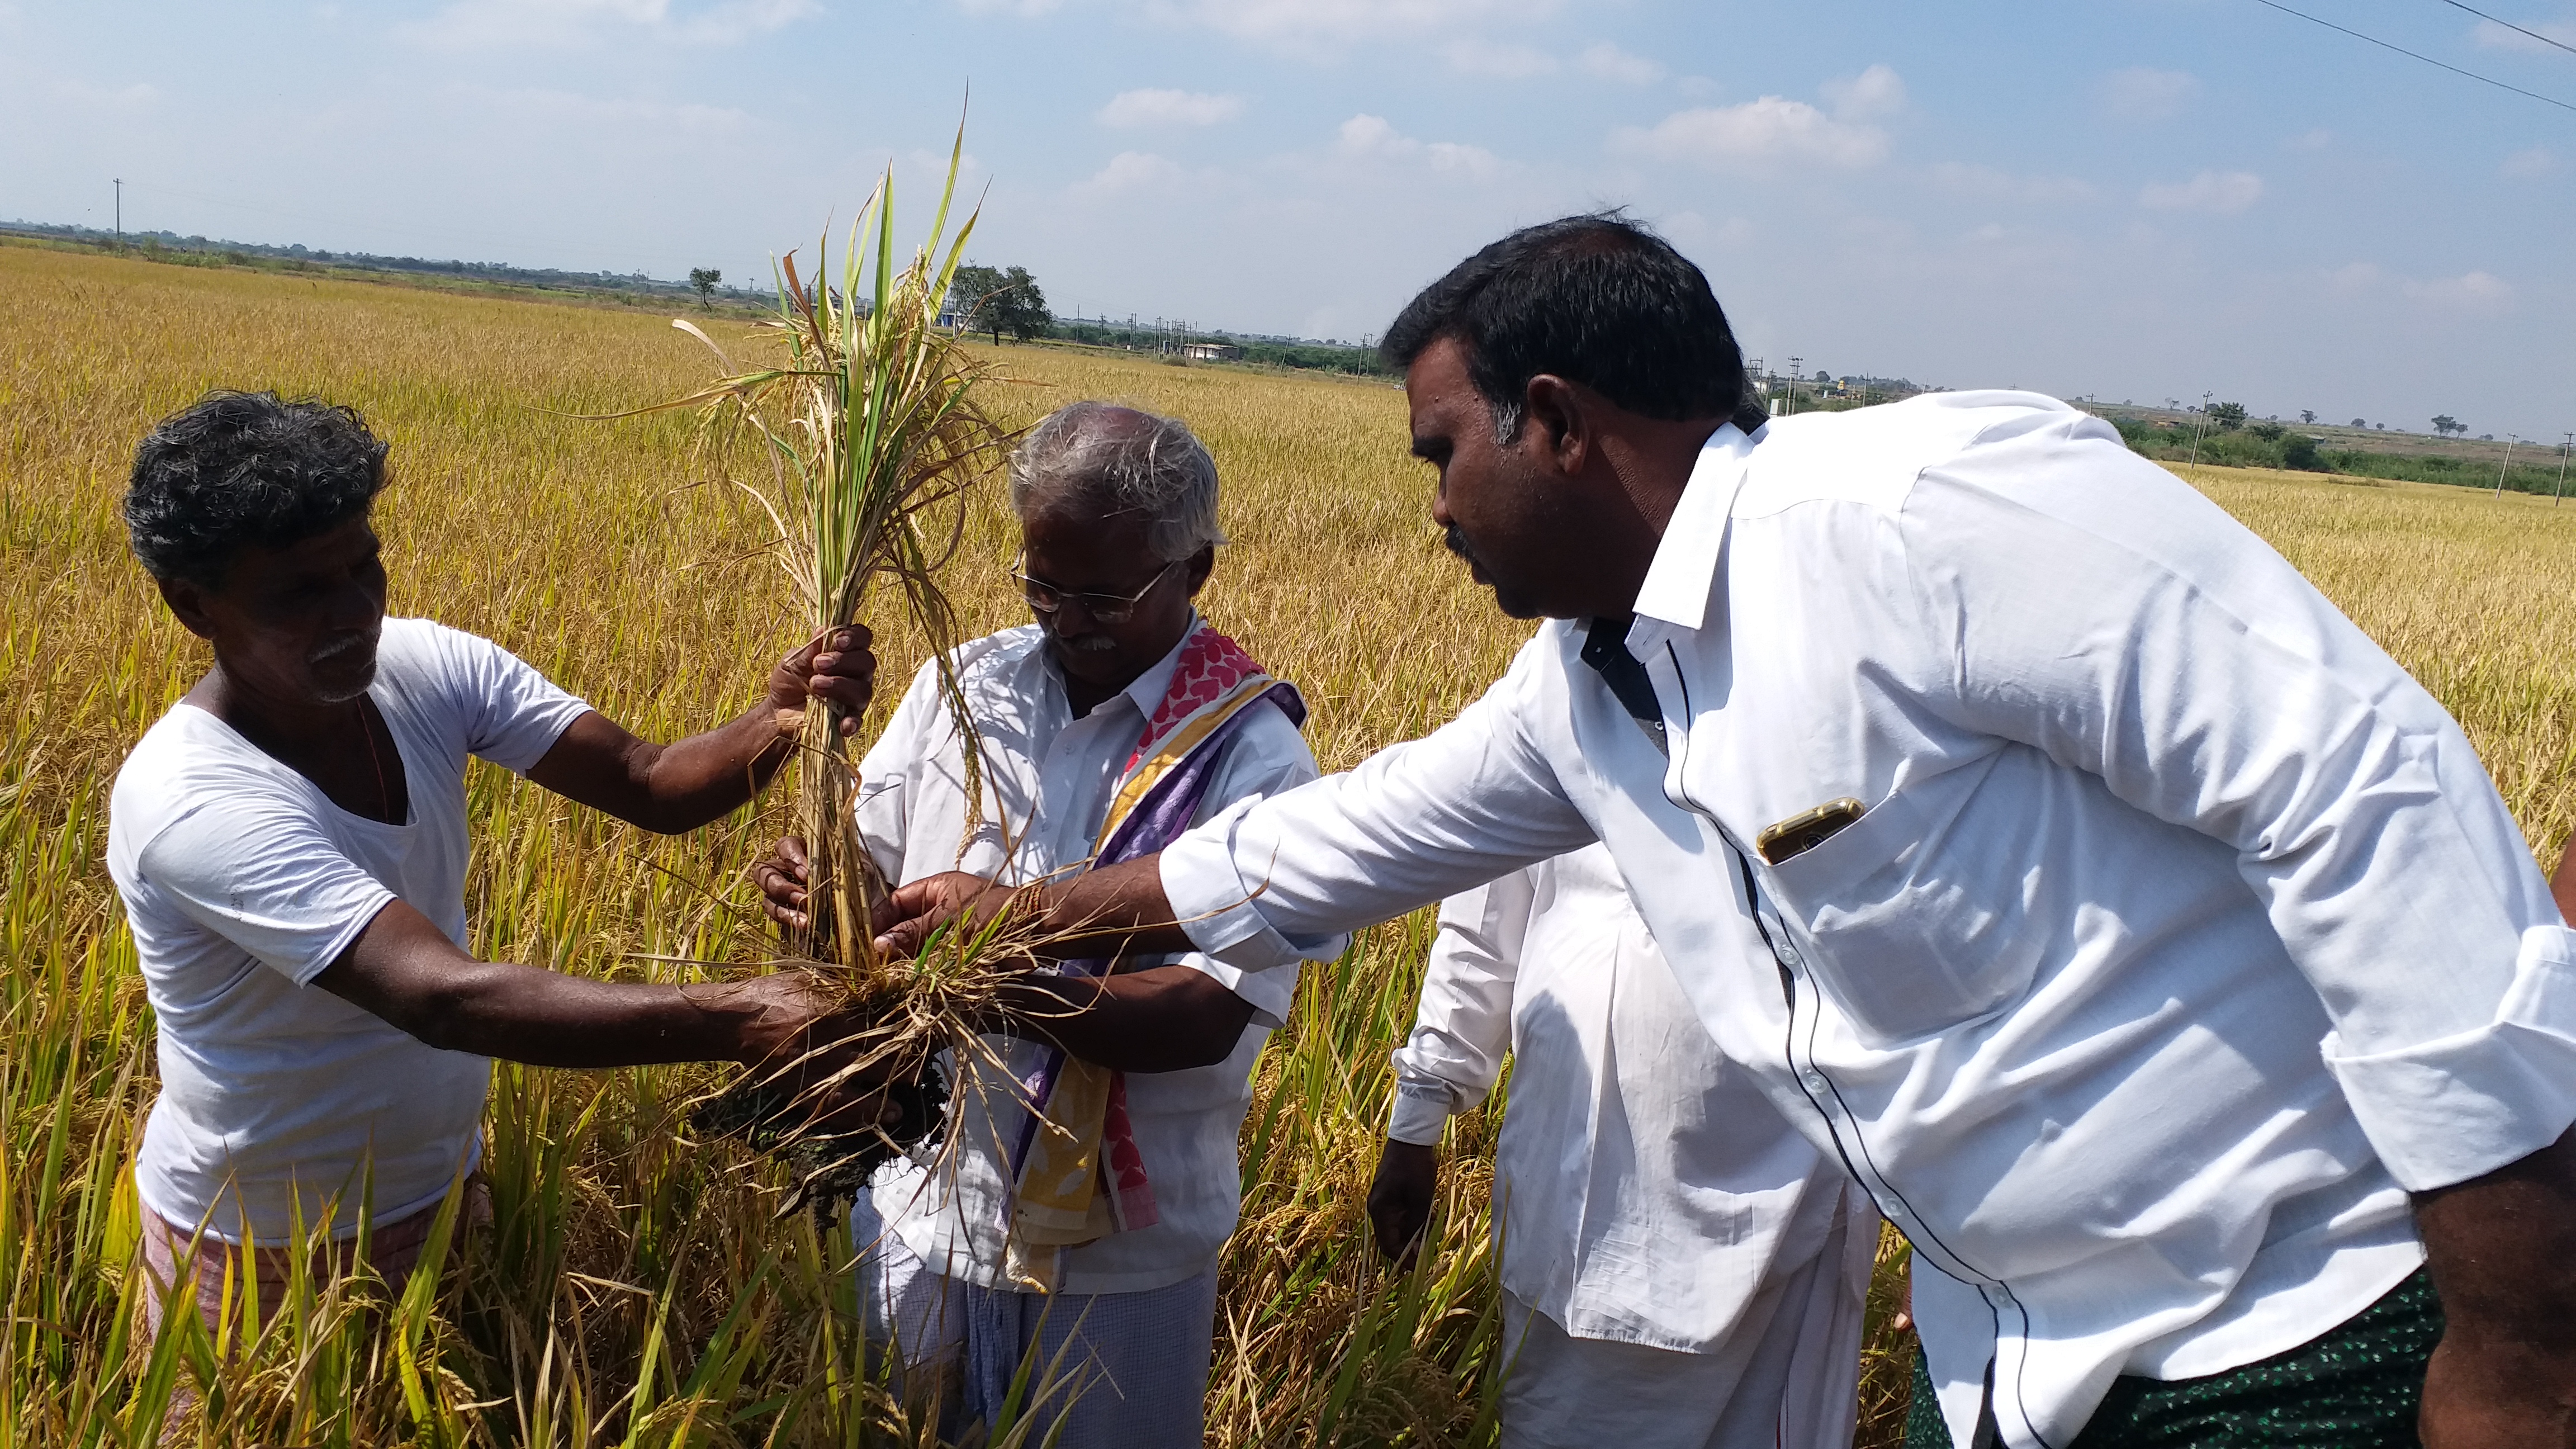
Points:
2116	620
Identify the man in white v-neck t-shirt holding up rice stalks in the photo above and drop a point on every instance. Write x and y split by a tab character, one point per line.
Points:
290	844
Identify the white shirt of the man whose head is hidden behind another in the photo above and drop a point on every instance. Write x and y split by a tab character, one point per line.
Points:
1645	1187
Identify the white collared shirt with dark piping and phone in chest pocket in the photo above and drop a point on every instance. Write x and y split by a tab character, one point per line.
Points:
2181	940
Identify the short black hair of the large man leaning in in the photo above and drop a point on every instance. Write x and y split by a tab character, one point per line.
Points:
1593	300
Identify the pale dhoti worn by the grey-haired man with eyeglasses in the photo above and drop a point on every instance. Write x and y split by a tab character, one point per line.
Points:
1130	1370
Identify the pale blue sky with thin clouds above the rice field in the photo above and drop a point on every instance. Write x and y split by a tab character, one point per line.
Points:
2124	197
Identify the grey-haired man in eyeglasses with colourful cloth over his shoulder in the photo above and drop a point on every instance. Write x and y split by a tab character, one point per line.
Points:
1091	1172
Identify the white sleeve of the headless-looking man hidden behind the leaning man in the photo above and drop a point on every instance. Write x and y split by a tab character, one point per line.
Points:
1464	1022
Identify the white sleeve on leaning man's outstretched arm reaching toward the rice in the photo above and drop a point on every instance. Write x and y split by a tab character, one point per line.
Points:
1284	878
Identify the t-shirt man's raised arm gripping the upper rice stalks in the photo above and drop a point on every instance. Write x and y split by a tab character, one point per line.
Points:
702	780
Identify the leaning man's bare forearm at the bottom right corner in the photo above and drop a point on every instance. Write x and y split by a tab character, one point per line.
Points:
2503	1252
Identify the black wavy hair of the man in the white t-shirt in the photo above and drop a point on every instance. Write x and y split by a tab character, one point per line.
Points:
246	471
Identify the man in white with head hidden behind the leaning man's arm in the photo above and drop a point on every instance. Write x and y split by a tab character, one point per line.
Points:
1681	1270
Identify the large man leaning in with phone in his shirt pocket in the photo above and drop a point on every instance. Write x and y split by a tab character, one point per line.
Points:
2150	948
